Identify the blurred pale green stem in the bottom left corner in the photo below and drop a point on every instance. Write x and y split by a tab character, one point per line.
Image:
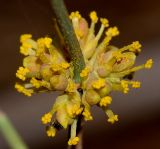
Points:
10	134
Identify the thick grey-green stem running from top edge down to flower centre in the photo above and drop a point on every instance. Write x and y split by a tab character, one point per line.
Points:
70	39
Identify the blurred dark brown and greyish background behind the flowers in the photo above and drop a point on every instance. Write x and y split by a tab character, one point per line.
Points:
139	111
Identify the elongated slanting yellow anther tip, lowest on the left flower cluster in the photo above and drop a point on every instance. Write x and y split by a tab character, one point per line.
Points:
21	89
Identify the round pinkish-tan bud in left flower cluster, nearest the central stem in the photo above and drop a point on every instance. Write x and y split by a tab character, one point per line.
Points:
59	82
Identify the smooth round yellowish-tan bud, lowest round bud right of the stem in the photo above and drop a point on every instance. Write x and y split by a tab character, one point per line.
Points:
92	97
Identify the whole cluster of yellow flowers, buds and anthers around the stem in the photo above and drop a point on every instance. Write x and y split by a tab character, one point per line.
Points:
108	68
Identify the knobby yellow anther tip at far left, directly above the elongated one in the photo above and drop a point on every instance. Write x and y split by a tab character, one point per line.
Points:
21	72
